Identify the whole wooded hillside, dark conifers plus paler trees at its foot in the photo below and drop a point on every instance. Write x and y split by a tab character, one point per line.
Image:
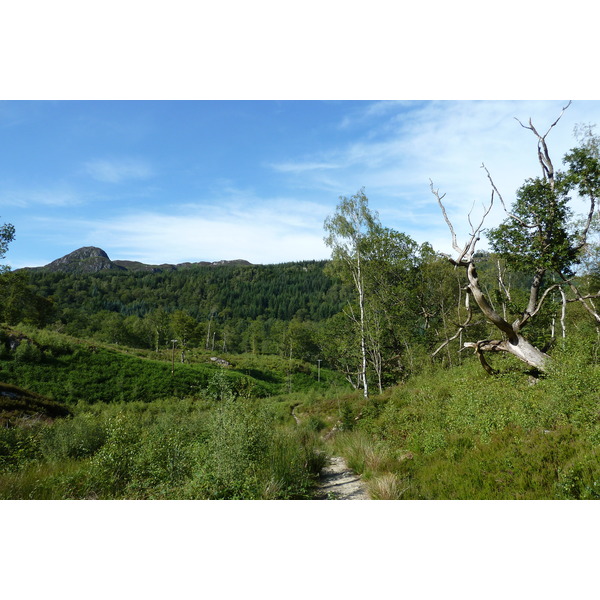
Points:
148	309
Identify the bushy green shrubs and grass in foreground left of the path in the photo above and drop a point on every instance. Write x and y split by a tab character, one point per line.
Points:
164	449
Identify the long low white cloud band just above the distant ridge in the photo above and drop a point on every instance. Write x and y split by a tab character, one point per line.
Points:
272	232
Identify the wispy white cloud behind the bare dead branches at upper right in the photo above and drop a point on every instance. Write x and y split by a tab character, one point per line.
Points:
445	142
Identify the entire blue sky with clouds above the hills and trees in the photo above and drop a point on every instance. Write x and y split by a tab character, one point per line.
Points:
175	181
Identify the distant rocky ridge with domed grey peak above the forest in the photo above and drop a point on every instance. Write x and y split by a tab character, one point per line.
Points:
91	259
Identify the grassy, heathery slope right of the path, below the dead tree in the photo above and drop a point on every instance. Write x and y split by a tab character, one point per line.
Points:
460	434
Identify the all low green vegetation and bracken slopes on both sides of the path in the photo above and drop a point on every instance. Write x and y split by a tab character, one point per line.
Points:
445	433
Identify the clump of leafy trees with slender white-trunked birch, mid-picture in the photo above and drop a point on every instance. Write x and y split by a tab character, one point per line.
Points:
385	320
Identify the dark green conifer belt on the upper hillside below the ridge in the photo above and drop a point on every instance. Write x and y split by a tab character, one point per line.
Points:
239	292
